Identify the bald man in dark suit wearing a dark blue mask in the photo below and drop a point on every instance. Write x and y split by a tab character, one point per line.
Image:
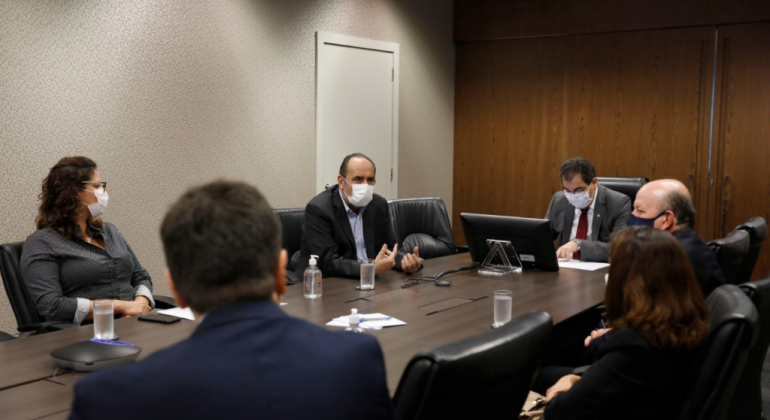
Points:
666	204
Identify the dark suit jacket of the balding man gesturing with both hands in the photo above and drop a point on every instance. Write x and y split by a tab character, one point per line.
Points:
327	233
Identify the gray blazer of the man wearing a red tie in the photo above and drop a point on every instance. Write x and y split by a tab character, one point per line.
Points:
610	213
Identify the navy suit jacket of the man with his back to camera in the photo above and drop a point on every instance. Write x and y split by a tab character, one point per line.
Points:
246	360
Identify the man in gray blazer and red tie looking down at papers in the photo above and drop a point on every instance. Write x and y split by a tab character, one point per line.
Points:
585	214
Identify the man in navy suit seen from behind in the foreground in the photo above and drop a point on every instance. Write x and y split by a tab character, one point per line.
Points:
247	358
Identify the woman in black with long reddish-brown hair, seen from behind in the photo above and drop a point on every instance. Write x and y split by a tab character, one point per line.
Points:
657	318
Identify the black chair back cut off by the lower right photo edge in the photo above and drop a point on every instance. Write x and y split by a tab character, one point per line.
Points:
747	398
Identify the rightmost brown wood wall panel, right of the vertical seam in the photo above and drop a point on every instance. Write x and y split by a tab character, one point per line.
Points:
741	170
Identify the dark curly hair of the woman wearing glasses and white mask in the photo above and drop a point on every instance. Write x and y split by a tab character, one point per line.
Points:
59	202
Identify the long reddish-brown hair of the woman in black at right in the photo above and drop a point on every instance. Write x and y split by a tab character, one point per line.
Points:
652	289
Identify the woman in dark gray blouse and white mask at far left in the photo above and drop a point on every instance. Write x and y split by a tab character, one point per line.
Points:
74	257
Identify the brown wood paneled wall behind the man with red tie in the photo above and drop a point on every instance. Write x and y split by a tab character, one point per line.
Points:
635	103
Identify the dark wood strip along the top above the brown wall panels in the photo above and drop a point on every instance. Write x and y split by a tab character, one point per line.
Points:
499	19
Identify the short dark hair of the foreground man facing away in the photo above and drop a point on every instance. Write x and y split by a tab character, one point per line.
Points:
222	243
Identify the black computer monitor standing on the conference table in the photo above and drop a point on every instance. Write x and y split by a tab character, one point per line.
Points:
531	238
